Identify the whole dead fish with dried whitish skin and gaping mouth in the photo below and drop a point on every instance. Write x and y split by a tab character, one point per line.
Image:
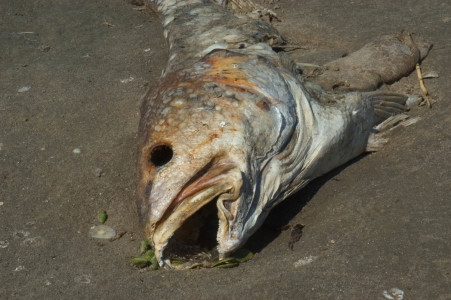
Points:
231	129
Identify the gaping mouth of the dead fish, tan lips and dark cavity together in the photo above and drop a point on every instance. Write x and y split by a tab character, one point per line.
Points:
191	227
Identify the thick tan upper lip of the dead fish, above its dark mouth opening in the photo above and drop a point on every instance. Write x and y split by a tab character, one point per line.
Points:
208	186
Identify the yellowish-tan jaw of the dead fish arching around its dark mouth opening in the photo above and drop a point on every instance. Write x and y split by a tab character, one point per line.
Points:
221	182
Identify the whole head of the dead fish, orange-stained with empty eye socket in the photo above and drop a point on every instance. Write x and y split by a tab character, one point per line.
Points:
199	173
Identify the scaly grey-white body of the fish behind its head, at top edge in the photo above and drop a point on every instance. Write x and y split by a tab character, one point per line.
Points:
193	28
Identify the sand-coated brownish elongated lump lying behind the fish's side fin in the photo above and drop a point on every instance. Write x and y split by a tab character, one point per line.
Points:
384	60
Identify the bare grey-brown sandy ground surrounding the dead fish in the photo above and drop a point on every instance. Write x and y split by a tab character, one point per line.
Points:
71	76
